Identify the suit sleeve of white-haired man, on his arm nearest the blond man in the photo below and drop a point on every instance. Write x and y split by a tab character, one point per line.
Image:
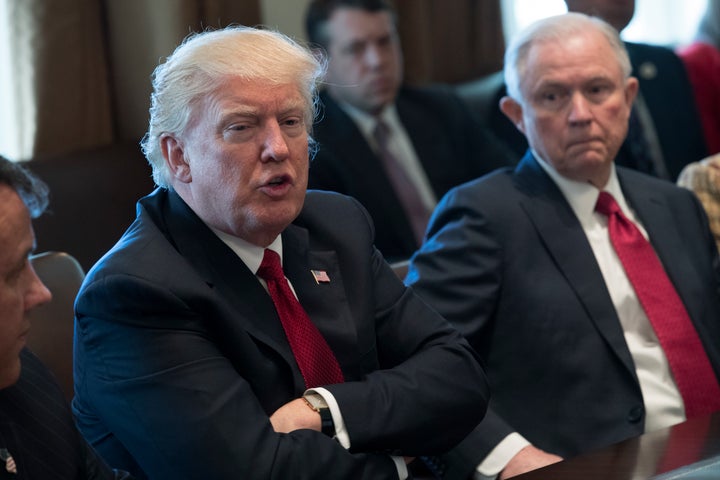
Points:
458	271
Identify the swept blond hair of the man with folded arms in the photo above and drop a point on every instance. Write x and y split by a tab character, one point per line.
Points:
201	63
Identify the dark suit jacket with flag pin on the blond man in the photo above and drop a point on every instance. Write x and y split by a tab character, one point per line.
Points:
181	358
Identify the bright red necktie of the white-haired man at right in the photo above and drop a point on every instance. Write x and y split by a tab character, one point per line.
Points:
690	366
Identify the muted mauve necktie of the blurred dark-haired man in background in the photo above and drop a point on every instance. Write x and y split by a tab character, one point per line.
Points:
415	209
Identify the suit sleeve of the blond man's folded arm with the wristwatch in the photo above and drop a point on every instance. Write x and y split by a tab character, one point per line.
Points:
412	349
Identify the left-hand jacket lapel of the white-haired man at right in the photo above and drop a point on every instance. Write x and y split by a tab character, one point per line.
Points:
565	241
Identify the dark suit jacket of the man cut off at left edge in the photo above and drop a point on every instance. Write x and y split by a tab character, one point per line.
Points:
38	430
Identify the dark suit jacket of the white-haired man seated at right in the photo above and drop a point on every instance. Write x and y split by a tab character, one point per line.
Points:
508	263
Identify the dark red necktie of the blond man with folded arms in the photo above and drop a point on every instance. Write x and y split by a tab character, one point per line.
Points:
317	362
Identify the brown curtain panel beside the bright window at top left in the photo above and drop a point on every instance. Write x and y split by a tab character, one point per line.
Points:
59	83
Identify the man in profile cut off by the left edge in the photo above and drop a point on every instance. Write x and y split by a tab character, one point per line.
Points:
38	437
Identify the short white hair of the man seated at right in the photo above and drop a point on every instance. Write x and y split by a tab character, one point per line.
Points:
552	29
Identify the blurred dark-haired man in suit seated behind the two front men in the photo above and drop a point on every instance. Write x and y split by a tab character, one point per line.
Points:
433	141
